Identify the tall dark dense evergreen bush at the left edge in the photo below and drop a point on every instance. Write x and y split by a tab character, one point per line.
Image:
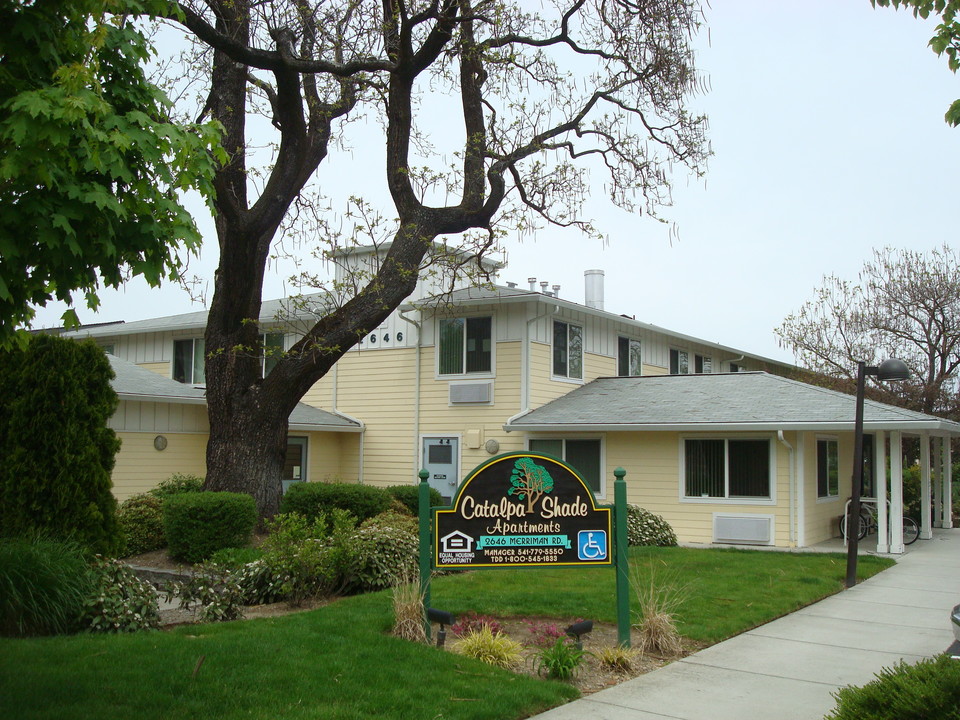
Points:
57	449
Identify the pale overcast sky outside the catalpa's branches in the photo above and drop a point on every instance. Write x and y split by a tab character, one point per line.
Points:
826	125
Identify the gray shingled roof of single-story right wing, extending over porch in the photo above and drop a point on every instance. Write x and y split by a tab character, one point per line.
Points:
728	401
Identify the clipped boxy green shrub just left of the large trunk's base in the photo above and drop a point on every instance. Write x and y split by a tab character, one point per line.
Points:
199	524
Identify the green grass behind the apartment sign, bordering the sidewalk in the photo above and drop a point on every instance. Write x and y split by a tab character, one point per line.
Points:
726	591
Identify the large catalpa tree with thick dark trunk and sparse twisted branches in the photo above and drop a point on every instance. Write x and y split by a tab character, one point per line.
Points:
542	93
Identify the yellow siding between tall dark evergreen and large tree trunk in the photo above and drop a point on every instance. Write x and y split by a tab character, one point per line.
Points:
140	466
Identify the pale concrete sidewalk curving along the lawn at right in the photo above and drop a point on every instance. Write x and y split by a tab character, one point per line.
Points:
787	669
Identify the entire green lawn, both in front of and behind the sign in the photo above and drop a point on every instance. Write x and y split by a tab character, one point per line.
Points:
338	661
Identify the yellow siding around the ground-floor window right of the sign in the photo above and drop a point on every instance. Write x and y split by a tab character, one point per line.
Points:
652	462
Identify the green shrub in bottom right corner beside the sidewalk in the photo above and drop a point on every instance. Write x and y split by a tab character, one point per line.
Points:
928	689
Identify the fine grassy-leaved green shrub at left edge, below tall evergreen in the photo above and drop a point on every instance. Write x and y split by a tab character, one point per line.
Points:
43	586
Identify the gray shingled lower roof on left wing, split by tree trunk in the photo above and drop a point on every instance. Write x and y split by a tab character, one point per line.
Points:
133	382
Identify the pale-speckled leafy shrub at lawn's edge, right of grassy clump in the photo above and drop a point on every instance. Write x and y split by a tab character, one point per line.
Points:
121	602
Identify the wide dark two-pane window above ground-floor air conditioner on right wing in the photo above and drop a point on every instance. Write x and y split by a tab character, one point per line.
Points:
728	469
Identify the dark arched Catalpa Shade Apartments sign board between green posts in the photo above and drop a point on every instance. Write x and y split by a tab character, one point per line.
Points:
523	510
